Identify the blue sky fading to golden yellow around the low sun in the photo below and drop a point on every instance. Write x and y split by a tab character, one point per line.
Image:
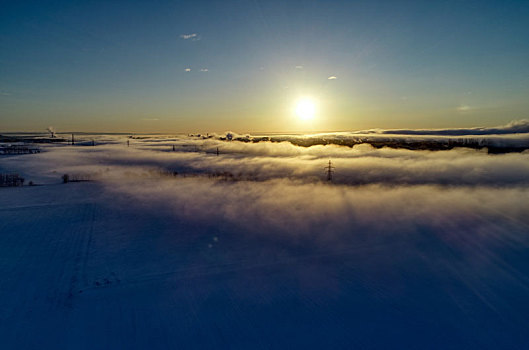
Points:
121	66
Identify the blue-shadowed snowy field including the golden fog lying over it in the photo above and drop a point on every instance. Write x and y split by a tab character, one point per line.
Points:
253	248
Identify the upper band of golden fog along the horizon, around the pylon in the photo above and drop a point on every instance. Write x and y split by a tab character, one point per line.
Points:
262	161
